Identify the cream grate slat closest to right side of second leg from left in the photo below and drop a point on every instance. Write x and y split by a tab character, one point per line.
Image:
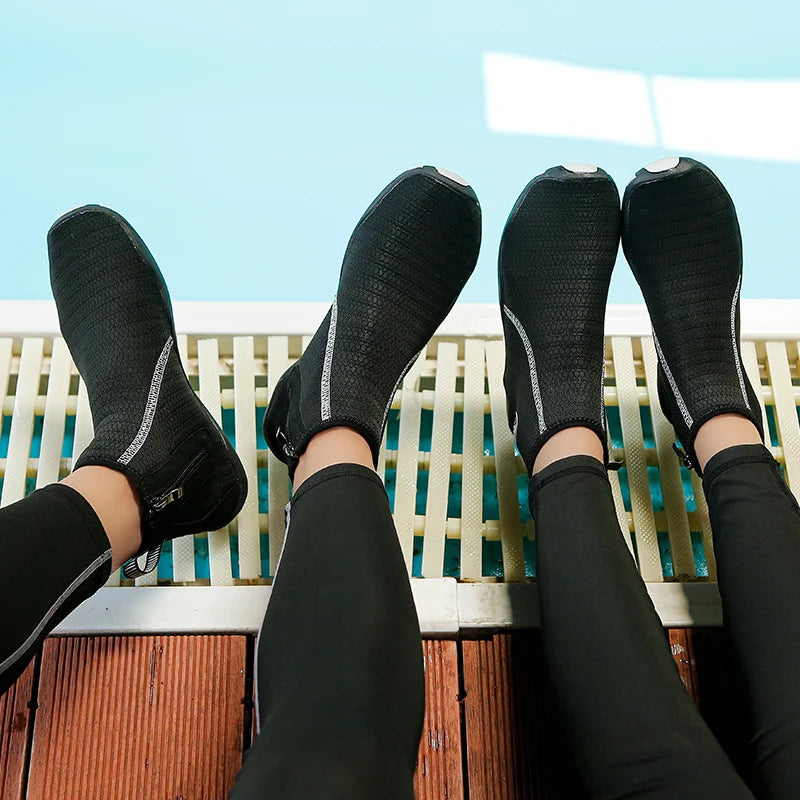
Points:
405	492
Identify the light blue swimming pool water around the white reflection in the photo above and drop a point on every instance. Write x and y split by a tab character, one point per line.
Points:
244	140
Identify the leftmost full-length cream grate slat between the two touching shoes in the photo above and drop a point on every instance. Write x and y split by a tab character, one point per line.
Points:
635	461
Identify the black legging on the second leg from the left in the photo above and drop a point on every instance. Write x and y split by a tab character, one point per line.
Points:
340	679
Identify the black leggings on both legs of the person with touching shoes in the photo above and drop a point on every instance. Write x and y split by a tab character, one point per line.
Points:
632	728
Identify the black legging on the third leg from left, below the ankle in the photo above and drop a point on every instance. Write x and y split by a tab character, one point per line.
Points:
632	728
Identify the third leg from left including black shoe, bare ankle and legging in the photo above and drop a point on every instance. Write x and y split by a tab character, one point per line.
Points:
633	730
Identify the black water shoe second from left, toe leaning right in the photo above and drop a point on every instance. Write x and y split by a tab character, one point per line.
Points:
406	263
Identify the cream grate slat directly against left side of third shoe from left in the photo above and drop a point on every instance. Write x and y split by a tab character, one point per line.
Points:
505	459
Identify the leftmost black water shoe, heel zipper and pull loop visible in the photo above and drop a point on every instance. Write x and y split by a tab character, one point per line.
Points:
116	318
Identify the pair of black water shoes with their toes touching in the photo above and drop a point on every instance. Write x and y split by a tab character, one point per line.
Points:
681	238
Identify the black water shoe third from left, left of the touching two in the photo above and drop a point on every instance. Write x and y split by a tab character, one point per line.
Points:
556	257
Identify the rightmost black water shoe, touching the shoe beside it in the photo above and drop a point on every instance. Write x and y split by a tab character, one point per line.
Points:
681	237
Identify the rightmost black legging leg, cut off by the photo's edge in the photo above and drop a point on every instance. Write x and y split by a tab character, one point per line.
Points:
756	526
